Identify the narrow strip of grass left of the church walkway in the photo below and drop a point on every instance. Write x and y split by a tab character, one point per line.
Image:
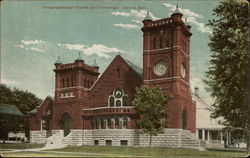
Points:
20	146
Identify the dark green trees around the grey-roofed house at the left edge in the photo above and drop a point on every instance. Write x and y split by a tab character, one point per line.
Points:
24	100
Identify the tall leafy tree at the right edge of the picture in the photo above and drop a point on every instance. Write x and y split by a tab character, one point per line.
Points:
227	75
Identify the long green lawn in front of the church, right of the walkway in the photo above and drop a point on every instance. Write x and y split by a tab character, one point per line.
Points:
146	151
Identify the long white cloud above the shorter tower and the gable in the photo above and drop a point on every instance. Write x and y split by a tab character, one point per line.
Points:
96	49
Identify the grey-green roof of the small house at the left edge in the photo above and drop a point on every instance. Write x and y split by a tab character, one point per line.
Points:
10	109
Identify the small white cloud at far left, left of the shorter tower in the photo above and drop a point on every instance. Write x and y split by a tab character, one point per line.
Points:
34	45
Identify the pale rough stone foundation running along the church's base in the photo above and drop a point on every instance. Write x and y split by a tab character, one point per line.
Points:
175	138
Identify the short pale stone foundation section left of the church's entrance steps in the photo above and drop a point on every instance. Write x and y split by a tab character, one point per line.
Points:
38	136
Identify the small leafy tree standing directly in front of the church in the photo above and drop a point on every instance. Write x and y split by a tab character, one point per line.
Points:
151	109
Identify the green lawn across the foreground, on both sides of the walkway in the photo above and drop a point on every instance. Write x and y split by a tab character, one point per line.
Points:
111	151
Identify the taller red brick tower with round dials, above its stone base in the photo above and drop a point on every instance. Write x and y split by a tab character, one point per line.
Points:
166	59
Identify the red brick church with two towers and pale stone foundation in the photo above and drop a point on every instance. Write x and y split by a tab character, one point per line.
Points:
93	109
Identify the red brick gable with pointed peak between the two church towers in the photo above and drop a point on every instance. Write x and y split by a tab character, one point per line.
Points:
119	74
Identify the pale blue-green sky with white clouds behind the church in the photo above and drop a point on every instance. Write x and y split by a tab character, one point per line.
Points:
35	33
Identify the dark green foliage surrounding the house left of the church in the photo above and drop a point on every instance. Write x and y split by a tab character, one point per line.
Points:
25	101
